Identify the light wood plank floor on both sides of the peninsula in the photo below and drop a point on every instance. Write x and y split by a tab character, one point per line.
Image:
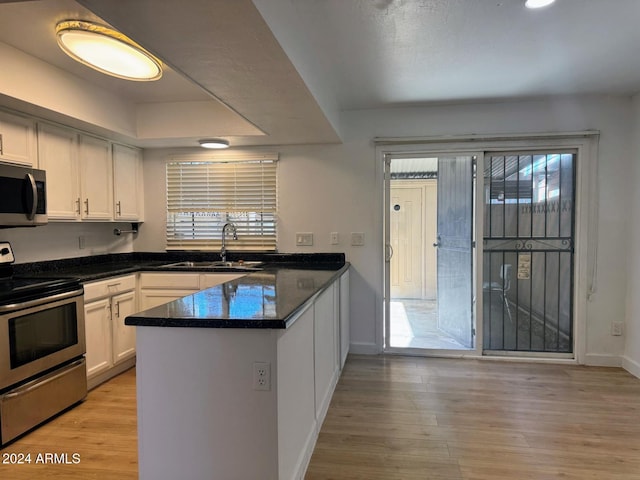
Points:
404	418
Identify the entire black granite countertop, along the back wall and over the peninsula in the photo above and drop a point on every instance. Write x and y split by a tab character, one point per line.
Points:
268	298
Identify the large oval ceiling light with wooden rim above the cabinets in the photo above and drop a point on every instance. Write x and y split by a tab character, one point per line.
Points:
107	51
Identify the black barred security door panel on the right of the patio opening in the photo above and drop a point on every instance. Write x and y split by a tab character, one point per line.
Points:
528	252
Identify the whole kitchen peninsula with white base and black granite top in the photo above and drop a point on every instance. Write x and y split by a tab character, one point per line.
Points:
234	381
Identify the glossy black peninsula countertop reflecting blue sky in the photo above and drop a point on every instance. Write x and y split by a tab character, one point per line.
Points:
265	299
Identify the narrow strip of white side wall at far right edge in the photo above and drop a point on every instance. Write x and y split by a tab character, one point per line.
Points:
631	359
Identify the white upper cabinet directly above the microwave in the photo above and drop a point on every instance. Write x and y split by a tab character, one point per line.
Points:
17	140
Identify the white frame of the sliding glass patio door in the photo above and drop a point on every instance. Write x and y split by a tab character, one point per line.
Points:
586	219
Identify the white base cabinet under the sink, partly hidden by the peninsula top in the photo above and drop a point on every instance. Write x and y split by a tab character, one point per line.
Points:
160	288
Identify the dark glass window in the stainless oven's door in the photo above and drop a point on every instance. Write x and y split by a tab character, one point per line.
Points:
42	333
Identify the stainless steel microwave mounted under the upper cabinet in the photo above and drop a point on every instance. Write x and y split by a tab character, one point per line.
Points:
23	196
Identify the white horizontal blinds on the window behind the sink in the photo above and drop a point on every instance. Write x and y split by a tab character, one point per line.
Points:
204	195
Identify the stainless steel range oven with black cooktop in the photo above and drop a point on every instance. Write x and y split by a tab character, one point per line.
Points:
42	348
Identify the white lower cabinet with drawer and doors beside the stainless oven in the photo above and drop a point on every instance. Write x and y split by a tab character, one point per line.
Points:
110	343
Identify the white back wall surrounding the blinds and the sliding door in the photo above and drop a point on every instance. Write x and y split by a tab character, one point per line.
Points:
336	188
